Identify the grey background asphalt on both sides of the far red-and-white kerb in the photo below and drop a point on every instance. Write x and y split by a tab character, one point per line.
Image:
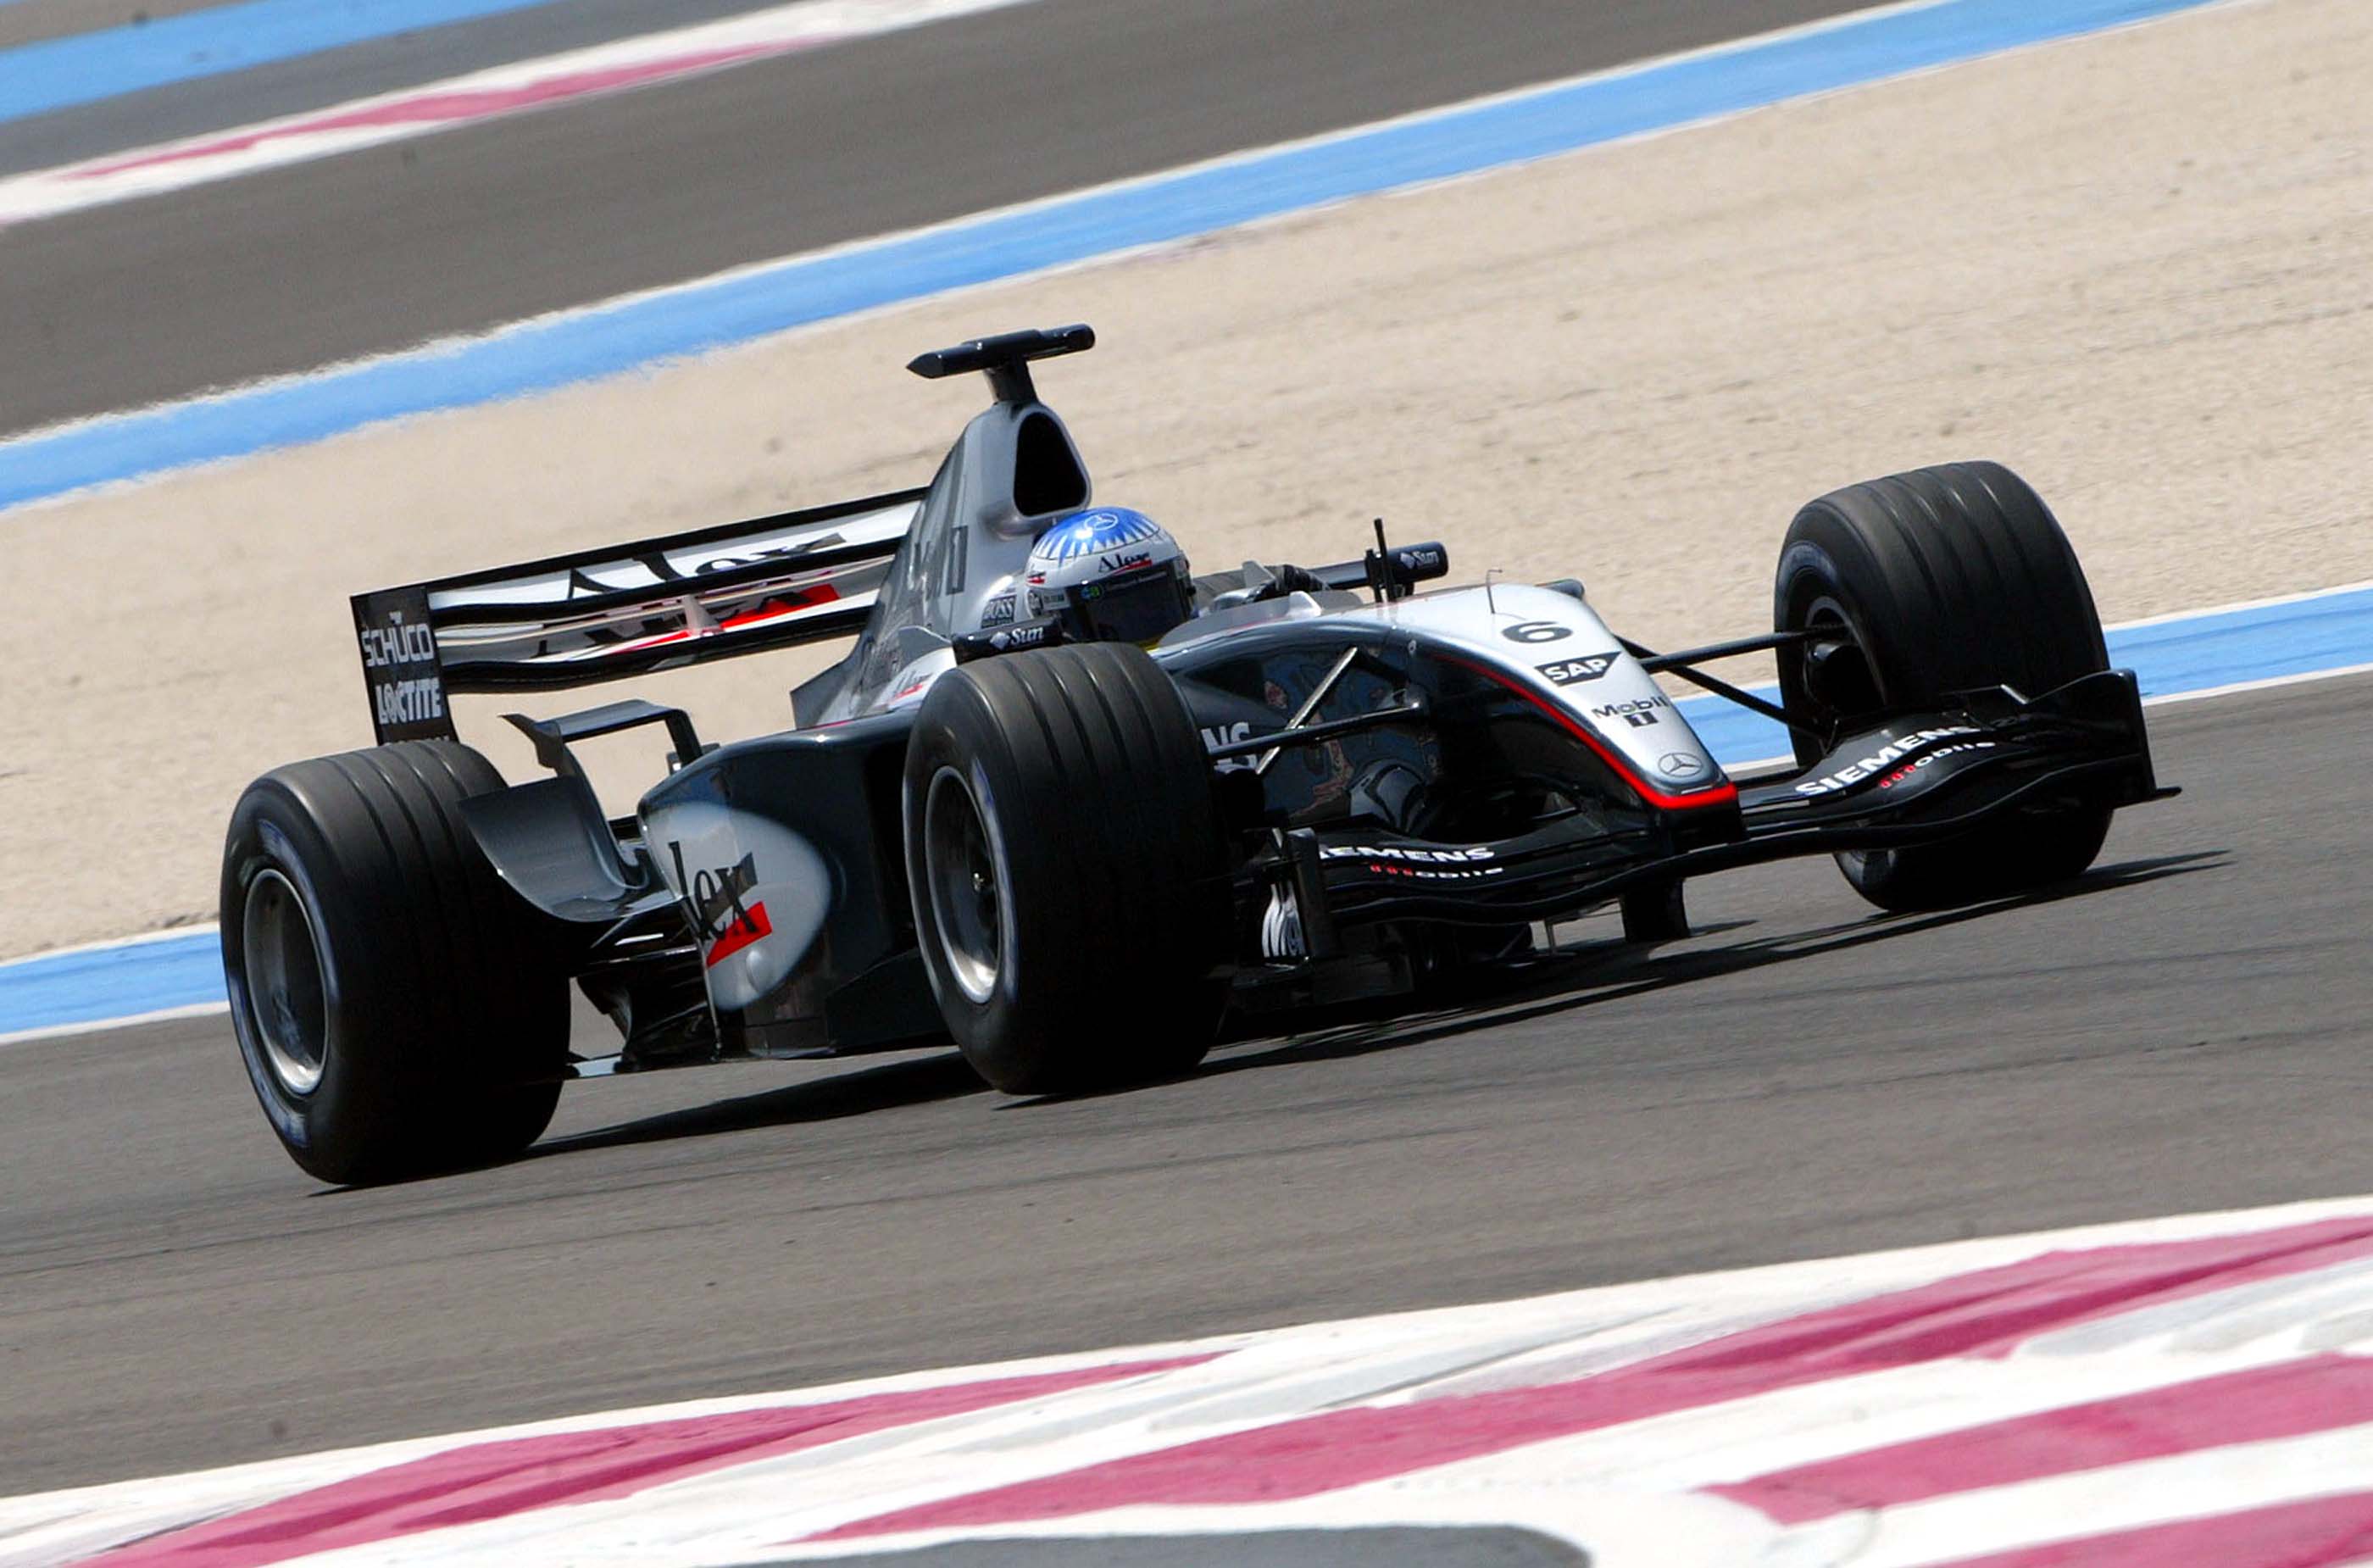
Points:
478	227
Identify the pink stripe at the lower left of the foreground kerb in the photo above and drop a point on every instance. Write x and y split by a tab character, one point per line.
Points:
519	1474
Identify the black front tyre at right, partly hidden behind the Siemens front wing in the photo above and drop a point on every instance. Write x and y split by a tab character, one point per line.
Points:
1942	580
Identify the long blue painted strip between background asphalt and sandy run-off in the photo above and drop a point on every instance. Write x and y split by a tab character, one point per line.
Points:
606	340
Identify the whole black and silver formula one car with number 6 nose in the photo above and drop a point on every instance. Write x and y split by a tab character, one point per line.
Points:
1069	805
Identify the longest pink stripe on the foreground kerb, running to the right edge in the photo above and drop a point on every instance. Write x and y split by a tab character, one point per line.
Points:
1971	1315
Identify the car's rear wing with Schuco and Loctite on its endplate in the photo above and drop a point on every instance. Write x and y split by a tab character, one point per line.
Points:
623	611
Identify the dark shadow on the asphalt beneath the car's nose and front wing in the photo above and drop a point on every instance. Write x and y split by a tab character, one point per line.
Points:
1612	971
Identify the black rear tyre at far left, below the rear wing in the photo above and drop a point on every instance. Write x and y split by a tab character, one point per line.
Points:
397	1007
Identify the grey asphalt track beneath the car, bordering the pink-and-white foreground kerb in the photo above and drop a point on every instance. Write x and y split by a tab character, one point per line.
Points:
2189	1028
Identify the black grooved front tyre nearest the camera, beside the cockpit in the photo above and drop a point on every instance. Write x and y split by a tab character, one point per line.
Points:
1067	869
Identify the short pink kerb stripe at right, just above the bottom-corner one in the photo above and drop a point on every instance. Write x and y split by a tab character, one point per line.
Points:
2289	1401
